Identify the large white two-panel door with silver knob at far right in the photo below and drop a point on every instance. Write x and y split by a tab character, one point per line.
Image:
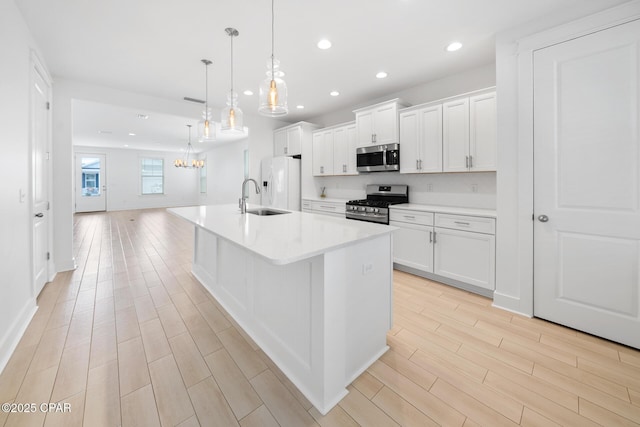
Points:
587	183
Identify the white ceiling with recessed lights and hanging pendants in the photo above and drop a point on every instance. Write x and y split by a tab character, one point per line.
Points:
154	47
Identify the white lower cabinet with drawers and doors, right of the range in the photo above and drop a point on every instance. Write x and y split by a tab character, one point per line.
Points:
452	246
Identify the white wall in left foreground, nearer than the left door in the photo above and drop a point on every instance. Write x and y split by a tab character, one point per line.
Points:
17	302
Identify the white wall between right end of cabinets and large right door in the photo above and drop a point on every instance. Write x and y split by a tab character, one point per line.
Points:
514	243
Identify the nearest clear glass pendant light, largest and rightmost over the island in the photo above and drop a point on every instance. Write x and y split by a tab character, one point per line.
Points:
273	90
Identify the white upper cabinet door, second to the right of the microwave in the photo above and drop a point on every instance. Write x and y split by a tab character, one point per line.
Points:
430	140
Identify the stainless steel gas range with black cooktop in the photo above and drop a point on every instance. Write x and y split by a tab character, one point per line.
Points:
375	208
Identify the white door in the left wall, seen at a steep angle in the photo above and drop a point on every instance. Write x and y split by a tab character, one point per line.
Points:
40	114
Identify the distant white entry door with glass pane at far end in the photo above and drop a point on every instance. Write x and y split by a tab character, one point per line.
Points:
91	182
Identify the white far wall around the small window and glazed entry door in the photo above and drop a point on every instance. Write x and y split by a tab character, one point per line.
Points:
123	180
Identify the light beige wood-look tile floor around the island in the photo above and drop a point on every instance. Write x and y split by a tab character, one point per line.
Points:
131	338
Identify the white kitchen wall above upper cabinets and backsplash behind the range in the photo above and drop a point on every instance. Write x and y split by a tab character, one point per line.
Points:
451	189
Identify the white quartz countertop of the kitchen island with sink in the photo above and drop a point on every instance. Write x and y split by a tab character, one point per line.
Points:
281	239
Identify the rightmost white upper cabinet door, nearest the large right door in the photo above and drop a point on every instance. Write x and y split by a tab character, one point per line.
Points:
482	132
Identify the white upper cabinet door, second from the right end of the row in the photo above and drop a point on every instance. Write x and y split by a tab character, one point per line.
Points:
455	145
